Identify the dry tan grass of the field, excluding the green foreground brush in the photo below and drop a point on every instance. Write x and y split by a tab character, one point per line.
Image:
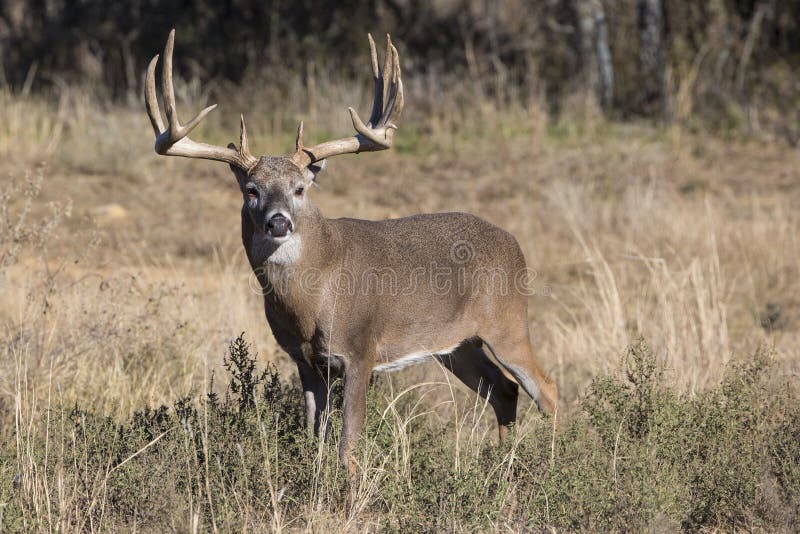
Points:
125	282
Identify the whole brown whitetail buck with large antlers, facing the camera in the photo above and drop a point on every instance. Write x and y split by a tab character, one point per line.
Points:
346	297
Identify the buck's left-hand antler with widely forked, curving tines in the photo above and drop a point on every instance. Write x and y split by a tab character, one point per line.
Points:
174	141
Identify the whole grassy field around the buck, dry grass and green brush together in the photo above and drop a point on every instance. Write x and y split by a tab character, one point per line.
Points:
667	308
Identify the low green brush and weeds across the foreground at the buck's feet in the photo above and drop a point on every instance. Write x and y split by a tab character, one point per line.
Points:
636	455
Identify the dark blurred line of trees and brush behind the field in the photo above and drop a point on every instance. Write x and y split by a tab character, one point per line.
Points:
726	64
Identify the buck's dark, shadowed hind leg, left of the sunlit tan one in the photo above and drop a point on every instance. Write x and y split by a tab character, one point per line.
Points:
470	364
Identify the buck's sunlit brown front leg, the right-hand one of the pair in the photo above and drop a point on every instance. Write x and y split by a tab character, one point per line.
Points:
356	381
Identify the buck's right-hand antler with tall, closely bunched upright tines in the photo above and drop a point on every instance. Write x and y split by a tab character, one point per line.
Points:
378	133
